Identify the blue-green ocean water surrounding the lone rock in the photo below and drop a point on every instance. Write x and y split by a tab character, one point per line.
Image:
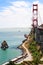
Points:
14	38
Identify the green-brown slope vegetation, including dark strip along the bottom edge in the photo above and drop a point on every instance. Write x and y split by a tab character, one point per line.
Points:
35	51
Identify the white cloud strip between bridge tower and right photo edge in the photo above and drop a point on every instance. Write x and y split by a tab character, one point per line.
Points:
40	13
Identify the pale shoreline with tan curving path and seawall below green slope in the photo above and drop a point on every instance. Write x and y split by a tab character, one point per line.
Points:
25	56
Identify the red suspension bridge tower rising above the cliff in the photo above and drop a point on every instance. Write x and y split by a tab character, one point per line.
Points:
35	15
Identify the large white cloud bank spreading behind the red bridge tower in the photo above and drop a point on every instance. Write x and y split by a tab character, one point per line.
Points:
19	14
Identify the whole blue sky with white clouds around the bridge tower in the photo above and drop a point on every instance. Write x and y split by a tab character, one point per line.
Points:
18	13
